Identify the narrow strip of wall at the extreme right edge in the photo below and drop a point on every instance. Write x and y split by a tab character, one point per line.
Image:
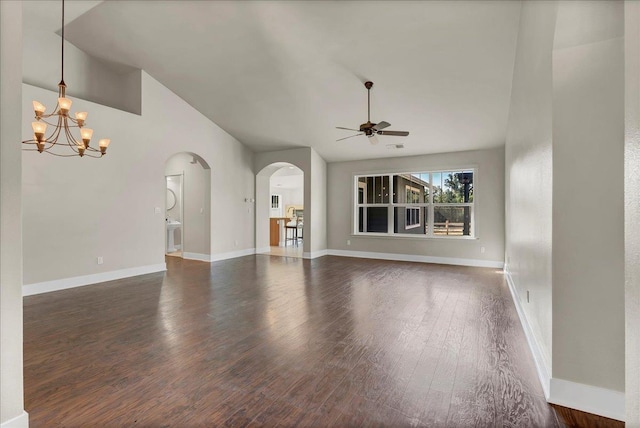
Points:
632	213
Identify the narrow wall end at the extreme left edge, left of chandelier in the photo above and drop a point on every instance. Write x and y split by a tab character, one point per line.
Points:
11	383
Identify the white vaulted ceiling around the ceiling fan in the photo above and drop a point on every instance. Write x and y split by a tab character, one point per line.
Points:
283	74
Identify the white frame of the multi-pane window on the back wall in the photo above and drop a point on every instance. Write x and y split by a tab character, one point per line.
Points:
430	207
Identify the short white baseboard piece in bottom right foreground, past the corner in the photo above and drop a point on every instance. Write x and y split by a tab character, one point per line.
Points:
587	398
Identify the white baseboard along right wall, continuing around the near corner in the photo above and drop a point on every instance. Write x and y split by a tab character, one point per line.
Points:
587	398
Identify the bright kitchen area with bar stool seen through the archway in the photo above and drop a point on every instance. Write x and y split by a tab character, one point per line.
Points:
286	214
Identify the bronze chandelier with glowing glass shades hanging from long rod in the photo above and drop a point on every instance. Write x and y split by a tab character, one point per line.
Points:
62	124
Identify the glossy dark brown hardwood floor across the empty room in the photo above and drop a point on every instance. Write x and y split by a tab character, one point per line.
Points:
277	341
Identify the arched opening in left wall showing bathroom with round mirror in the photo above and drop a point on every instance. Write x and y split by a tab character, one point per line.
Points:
188	207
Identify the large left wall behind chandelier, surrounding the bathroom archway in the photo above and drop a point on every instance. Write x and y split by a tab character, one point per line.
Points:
78	209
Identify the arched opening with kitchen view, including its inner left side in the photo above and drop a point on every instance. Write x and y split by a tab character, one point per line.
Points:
280	186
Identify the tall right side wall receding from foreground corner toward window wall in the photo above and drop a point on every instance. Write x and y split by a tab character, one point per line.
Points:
528	178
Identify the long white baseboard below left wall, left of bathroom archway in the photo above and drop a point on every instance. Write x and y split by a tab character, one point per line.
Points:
79	281
